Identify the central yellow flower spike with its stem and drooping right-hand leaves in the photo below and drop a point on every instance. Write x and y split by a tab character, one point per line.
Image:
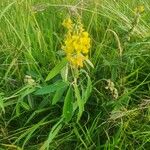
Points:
76	47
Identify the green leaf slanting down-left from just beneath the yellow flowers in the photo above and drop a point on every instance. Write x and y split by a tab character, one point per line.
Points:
56	70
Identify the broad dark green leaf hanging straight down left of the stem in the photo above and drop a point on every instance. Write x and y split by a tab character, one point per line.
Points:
68	105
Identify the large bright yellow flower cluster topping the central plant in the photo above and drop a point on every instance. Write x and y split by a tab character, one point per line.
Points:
76	43
